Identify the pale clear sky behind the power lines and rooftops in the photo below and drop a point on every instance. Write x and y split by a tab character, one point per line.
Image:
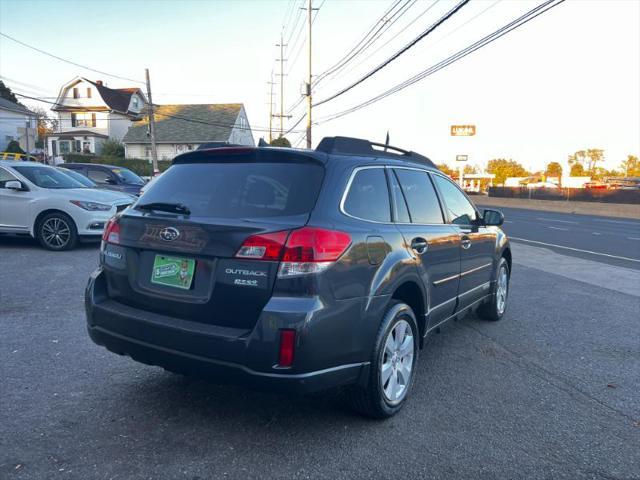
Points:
568	80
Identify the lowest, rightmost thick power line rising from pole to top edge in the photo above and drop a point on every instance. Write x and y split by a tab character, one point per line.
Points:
522	20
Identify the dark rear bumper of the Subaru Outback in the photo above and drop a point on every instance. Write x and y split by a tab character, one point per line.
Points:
220	354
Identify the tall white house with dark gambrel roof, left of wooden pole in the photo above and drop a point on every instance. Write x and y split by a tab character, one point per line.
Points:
90	112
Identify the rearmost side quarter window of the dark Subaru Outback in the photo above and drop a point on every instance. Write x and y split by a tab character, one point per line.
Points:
368	196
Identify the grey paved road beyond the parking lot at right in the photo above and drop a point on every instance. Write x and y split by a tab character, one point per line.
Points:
610	240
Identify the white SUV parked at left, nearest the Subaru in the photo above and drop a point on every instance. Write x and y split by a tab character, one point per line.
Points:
51	206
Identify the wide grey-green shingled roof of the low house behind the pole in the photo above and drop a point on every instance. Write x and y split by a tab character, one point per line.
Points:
190	123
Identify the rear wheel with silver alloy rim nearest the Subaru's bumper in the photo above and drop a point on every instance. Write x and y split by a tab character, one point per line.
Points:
393	365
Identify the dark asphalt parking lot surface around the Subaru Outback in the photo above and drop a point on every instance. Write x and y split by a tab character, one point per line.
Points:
552	391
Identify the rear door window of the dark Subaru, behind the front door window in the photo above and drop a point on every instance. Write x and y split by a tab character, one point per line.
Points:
421	196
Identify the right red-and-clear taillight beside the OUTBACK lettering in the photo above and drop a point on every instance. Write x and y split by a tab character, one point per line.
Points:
306	250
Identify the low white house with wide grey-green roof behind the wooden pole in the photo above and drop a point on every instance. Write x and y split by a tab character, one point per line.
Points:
180	128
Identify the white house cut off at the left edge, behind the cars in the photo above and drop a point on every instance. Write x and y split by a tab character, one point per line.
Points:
17	122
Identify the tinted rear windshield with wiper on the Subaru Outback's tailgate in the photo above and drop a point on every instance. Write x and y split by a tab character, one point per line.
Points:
239	190
